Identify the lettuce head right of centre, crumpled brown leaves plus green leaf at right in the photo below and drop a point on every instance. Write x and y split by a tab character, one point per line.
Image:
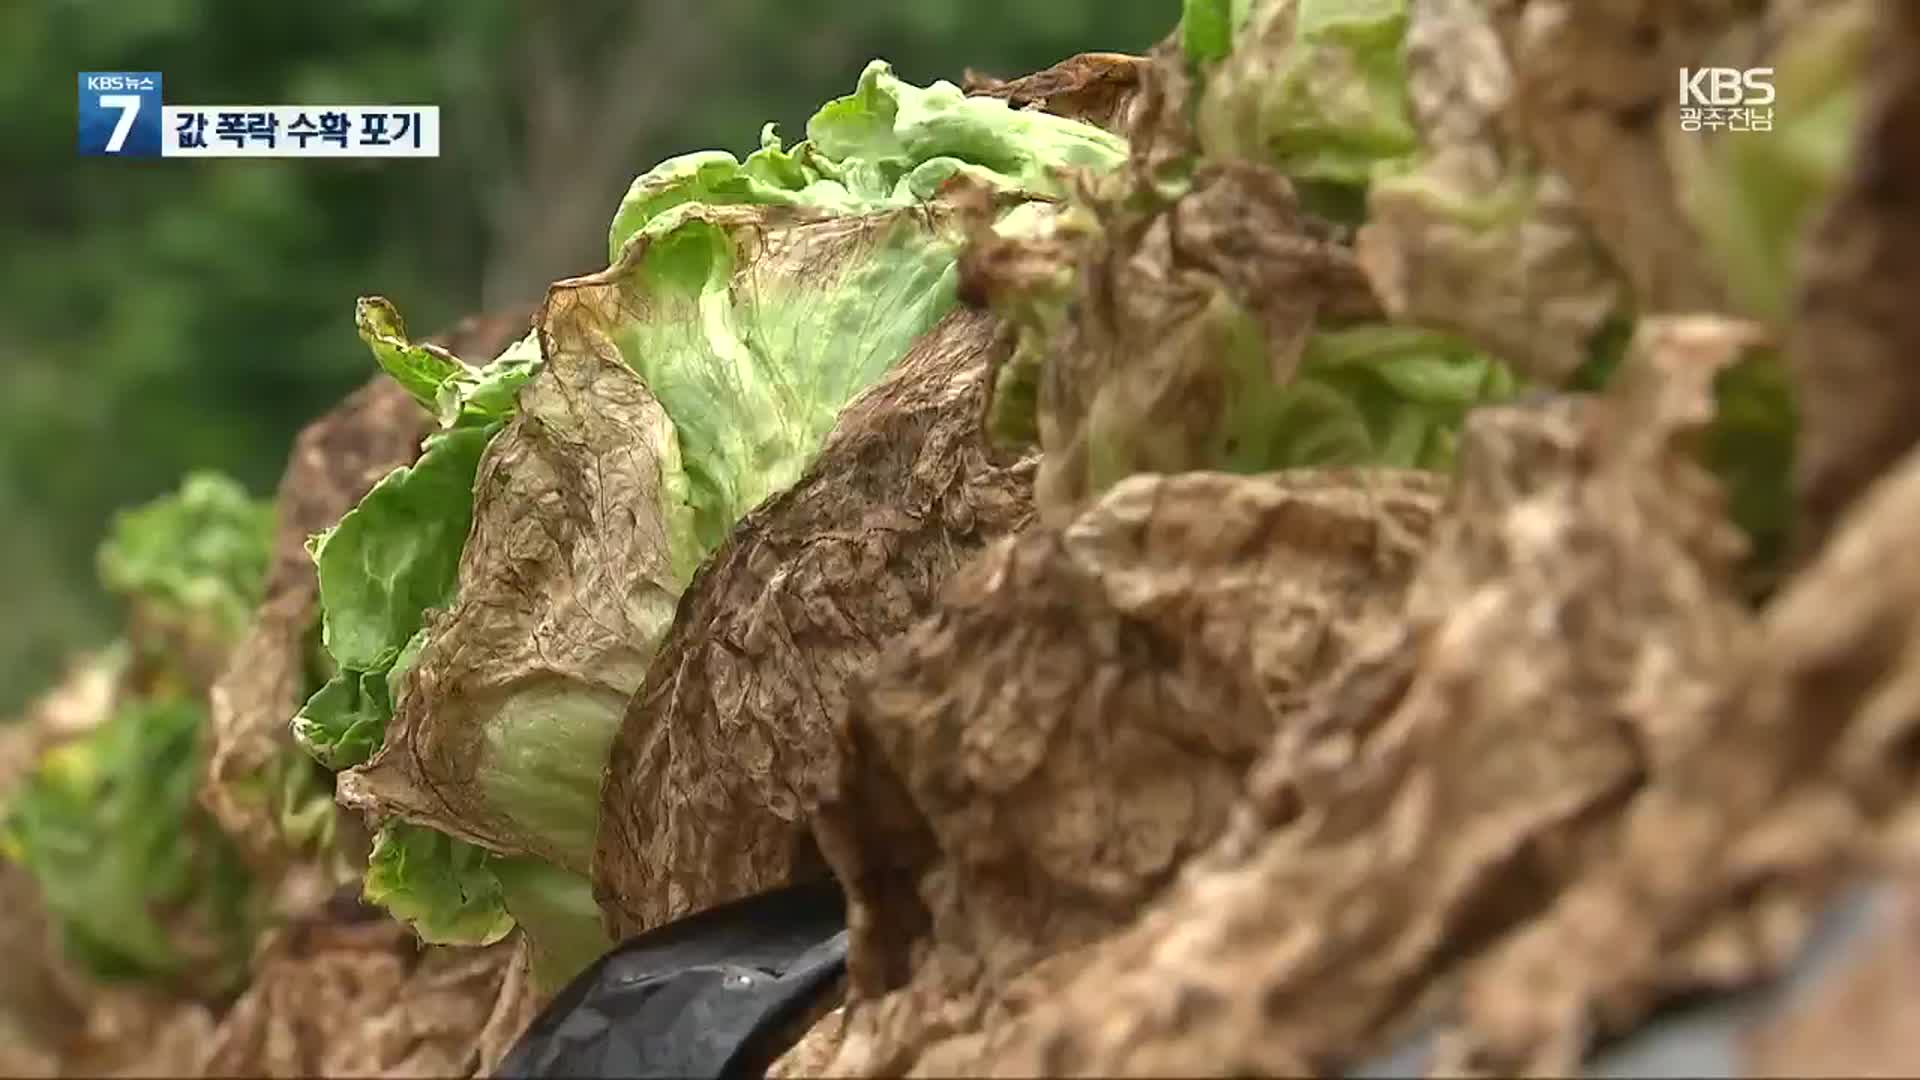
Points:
1209	326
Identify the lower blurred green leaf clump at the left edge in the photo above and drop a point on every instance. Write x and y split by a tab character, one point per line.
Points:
137	877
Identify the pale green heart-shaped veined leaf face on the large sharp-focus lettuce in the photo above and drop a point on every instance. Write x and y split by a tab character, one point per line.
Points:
756	349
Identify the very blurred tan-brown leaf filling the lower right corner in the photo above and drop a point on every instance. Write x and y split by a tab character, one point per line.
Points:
1802	773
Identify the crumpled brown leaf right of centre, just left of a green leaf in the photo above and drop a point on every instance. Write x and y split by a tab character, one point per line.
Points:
1138	322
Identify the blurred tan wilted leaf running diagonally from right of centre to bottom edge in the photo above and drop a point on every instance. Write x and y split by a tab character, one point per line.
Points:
1564	639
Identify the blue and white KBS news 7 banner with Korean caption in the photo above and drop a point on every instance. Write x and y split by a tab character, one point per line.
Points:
122	116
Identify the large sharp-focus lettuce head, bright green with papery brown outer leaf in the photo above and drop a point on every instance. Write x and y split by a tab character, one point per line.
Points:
492	608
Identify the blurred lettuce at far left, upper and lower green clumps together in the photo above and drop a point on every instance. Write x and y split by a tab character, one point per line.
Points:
137	877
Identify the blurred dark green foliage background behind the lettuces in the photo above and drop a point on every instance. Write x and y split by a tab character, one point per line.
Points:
170	316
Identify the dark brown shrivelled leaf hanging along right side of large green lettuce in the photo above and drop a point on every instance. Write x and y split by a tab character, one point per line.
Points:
704	795
